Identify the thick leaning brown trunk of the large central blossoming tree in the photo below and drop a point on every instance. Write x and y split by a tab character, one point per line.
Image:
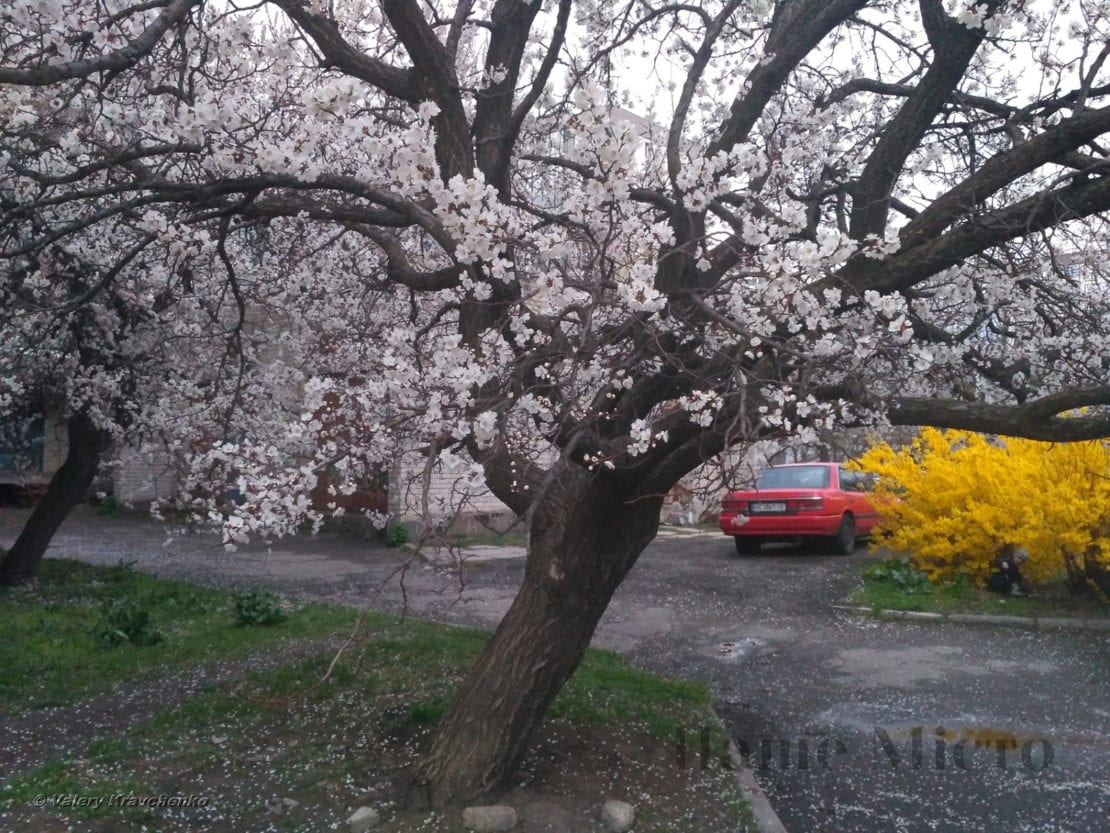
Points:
586	537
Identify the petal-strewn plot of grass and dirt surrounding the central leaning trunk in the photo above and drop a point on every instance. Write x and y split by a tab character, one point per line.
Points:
271	747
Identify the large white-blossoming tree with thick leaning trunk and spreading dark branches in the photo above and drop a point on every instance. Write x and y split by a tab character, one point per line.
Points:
374	226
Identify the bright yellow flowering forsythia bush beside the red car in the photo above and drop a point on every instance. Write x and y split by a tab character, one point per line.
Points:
953	499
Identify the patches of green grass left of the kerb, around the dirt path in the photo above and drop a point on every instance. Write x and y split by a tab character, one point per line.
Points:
46	635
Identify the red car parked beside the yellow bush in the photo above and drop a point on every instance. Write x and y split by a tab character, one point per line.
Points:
801	501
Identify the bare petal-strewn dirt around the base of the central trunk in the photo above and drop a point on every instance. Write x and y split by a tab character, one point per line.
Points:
274	778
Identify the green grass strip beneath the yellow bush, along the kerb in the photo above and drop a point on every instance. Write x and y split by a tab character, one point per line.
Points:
961	596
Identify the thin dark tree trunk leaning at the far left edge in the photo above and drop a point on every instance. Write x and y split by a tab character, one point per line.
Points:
69	486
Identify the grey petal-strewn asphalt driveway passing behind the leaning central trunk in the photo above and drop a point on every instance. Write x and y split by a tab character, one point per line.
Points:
902	727
